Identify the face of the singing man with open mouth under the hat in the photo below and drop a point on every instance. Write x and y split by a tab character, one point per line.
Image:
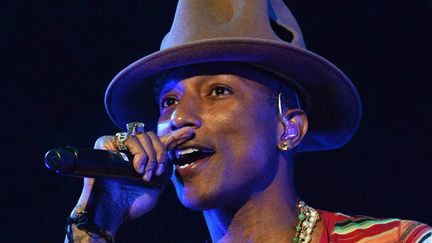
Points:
234	150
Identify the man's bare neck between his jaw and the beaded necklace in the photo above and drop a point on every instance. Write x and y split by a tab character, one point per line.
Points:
269	215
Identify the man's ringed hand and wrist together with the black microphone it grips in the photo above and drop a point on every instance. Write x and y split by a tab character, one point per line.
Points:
115	196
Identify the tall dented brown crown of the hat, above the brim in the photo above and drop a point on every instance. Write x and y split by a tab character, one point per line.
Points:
197	20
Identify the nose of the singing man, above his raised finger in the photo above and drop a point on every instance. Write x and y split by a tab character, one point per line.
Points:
186	113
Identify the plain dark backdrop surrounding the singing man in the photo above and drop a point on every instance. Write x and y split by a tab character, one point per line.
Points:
57	58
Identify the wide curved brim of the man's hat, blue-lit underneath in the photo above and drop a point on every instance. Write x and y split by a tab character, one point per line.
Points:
335	105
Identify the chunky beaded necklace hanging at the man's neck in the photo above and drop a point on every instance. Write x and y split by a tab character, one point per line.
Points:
307	217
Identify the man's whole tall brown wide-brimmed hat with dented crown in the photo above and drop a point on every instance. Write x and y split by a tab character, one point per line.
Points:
206	31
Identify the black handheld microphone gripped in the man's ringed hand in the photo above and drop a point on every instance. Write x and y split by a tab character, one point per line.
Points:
96	163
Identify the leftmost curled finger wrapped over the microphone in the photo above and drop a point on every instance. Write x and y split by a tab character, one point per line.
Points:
140	156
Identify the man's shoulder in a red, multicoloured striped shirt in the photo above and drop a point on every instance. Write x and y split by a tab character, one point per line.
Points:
344	228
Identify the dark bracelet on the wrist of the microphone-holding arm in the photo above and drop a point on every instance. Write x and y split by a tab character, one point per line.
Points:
82	222
